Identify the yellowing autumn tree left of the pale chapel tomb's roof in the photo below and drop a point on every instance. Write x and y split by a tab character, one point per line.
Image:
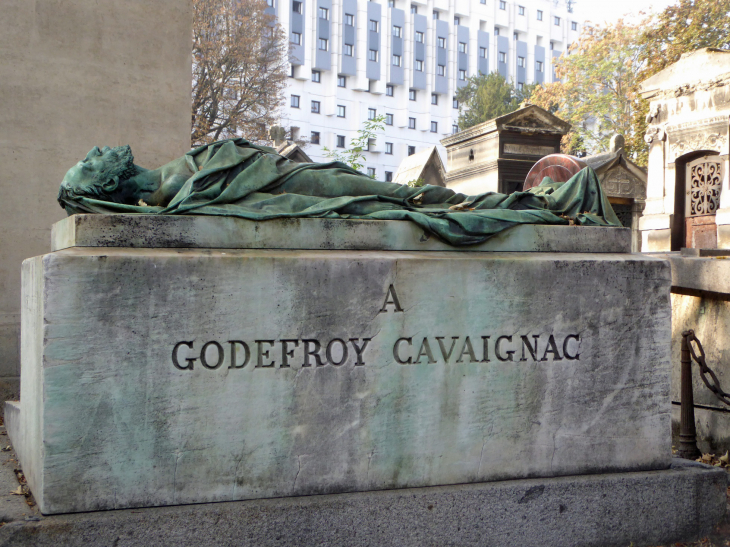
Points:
598	91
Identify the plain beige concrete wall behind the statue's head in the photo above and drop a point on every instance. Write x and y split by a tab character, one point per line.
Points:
76	74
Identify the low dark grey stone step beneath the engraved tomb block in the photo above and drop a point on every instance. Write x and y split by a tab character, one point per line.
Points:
613	510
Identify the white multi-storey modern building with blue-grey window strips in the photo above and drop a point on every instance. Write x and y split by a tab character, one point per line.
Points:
405	59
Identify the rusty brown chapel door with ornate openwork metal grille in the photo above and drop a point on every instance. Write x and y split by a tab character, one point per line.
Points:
704	183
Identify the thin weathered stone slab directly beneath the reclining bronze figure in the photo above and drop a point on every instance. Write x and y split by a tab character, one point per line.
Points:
149	231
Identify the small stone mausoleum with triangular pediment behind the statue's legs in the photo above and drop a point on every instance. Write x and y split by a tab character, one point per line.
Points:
498	154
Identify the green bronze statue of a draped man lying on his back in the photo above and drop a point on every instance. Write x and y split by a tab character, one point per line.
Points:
237	178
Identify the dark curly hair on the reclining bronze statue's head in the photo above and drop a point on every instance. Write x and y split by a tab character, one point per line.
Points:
118	166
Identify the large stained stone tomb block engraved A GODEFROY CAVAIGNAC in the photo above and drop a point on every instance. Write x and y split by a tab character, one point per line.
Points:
156	376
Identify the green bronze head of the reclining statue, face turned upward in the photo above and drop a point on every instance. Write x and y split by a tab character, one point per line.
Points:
99	175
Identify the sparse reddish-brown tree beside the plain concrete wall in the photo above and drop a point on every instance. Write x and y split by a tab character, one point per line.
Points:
240	61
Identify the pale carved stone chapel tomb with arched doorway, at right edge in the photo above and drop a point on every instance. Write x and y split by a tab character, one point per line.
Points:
688	202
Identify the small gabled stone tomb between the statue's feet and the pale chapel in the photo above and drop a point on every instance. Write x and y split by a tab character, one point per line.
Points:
625	185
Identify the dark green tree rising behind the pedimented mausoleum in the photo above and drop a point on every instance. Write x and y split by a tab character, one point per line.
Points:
487	96
